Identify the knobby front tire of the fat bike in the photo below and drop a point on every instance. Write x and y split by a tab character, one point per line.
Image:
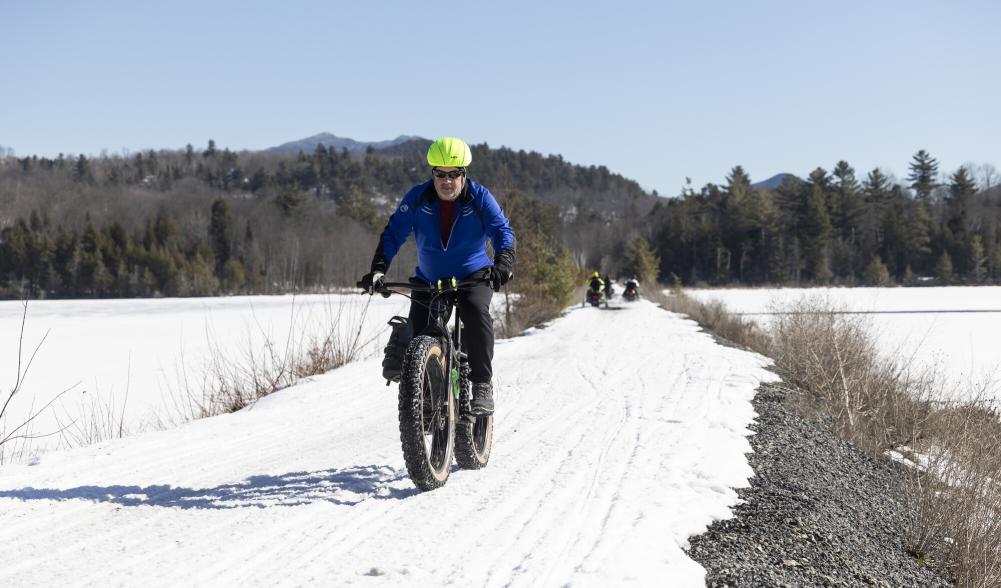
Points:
428	457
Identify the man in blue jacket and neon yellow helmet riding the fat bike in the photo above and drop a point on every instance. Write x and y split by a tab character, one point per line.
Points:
451	218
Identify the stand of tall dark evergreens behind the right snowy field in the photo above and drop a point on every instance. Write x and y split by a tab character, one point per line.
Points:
833	228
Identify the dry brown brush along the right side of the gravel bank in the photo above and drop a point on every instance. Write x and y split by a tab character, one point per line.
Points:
881	405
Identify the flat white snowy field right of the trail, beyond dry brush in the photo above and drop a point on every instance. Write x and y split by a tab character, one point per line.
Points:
956	331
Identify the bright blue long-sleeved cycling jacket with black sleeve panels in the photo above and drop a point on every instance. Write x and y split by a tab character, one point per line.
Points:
466	251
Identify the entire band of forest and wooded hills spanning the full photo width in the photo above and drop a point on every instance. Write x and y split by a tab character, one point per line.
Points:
210	222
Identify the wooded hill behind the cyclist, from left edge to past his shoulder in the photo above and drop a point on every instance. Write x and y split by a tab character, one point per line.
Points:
203	223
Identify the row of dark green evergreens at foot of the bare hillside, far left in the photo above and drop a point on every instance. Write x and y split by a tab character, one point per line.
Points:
43	260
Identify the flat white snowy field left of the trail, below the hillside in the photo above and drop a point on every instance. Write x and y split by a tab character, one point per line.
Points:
139	360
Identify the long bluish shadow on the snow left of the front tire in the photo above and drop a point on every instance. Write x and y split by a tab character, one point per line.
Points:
346	486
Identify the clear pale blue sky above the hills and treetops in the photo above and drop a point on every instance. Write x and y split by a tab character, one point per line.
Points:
656	91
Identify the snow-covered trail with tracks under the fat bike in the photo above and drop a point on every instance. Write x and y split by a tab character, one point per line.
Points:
619	434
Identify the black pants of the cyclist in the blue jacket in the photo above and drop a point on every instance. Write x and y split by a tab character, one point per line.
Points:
478	326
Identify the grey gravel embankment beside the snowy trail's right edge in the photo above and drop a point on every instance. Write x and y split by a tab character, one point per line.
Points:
818	513
